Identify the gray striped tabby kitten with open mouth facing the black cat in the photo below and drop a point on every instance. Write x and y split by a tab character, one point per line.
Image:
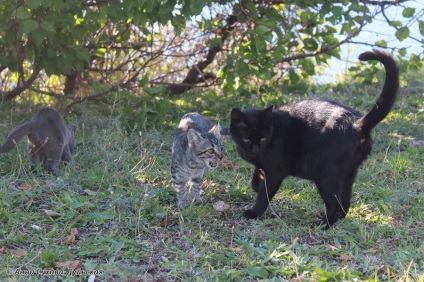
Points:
197	145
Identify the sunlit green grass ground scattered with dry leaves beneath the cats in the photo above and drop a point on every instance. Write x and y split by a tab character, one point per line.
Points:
117	218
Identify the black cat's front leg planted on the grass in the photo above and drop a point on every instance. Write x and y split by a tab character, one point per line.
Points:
268	189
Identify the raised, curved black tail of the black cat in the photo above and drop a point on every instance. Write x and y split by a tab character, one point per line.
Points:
389	93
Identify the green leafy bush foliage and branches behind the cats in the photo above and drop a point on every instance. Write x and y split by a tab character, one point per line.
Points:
57	47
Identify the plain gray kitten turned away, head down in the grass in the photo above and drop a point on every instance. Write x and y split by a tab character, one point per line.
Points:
49	139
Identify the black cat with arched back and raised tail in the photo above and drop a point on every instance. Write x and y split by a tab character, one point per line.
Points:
320	140
